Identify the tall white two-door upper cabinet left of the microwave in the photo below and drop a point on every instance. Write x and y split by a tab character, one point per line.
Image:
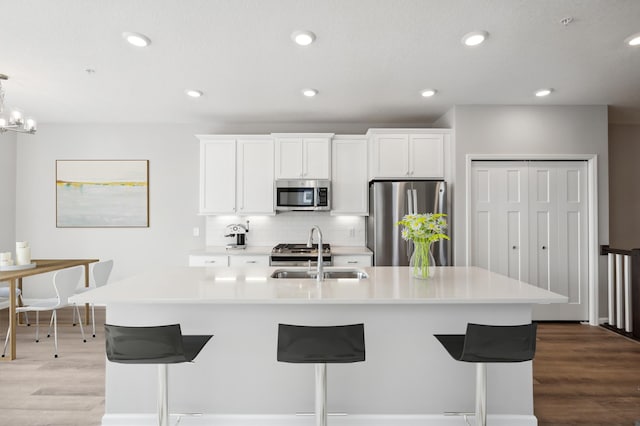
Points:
236	175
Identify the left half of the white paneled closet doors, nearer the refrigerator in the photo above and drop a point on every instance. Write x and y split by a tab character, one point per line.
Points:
500	216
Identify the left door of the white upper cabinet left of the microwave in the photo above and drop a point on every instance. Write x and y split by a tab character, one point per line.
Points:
217	176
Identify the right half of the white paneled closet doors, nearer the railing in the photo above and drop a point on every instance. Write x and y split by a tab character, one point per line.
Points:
559	236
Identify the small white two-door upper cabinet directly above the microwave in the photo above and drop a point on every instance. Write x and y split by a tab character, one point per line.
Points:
302	156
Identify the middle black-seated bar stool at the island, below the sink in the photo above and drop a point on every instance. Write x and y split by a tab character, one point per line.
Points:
321	345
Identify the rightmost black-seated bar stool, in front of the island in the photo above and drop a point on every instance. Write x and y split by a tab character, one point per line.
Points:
490	343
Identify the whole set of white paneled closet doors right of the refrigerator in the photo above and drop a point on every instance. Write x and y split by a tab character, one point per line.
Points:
529	221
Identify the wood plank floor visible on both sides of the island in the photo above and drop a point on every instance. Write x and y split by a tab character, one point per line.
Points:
582	376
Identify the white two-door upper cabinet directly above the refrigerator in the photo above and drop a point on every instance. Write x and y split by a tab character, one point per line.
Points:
409	155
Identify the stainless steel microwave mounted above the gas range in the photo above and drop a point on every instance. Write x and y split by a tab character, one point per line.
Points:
303	195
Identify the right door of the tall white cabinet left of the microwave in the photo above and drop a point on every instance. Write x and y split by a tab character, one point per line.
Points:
255	176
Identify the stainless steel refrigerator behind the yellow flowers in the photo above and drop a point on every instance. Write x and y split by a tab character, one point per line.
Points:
389	201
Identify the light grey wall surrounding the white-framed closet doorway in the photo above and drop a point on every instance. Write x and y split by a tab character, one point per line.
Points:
528	130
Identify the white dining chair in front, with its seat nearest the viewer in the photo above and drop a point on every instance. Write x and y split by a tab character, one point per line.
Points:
64	283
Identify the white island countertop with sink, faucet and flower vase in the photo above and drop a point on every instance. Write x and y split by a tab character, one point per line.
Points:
384	285
